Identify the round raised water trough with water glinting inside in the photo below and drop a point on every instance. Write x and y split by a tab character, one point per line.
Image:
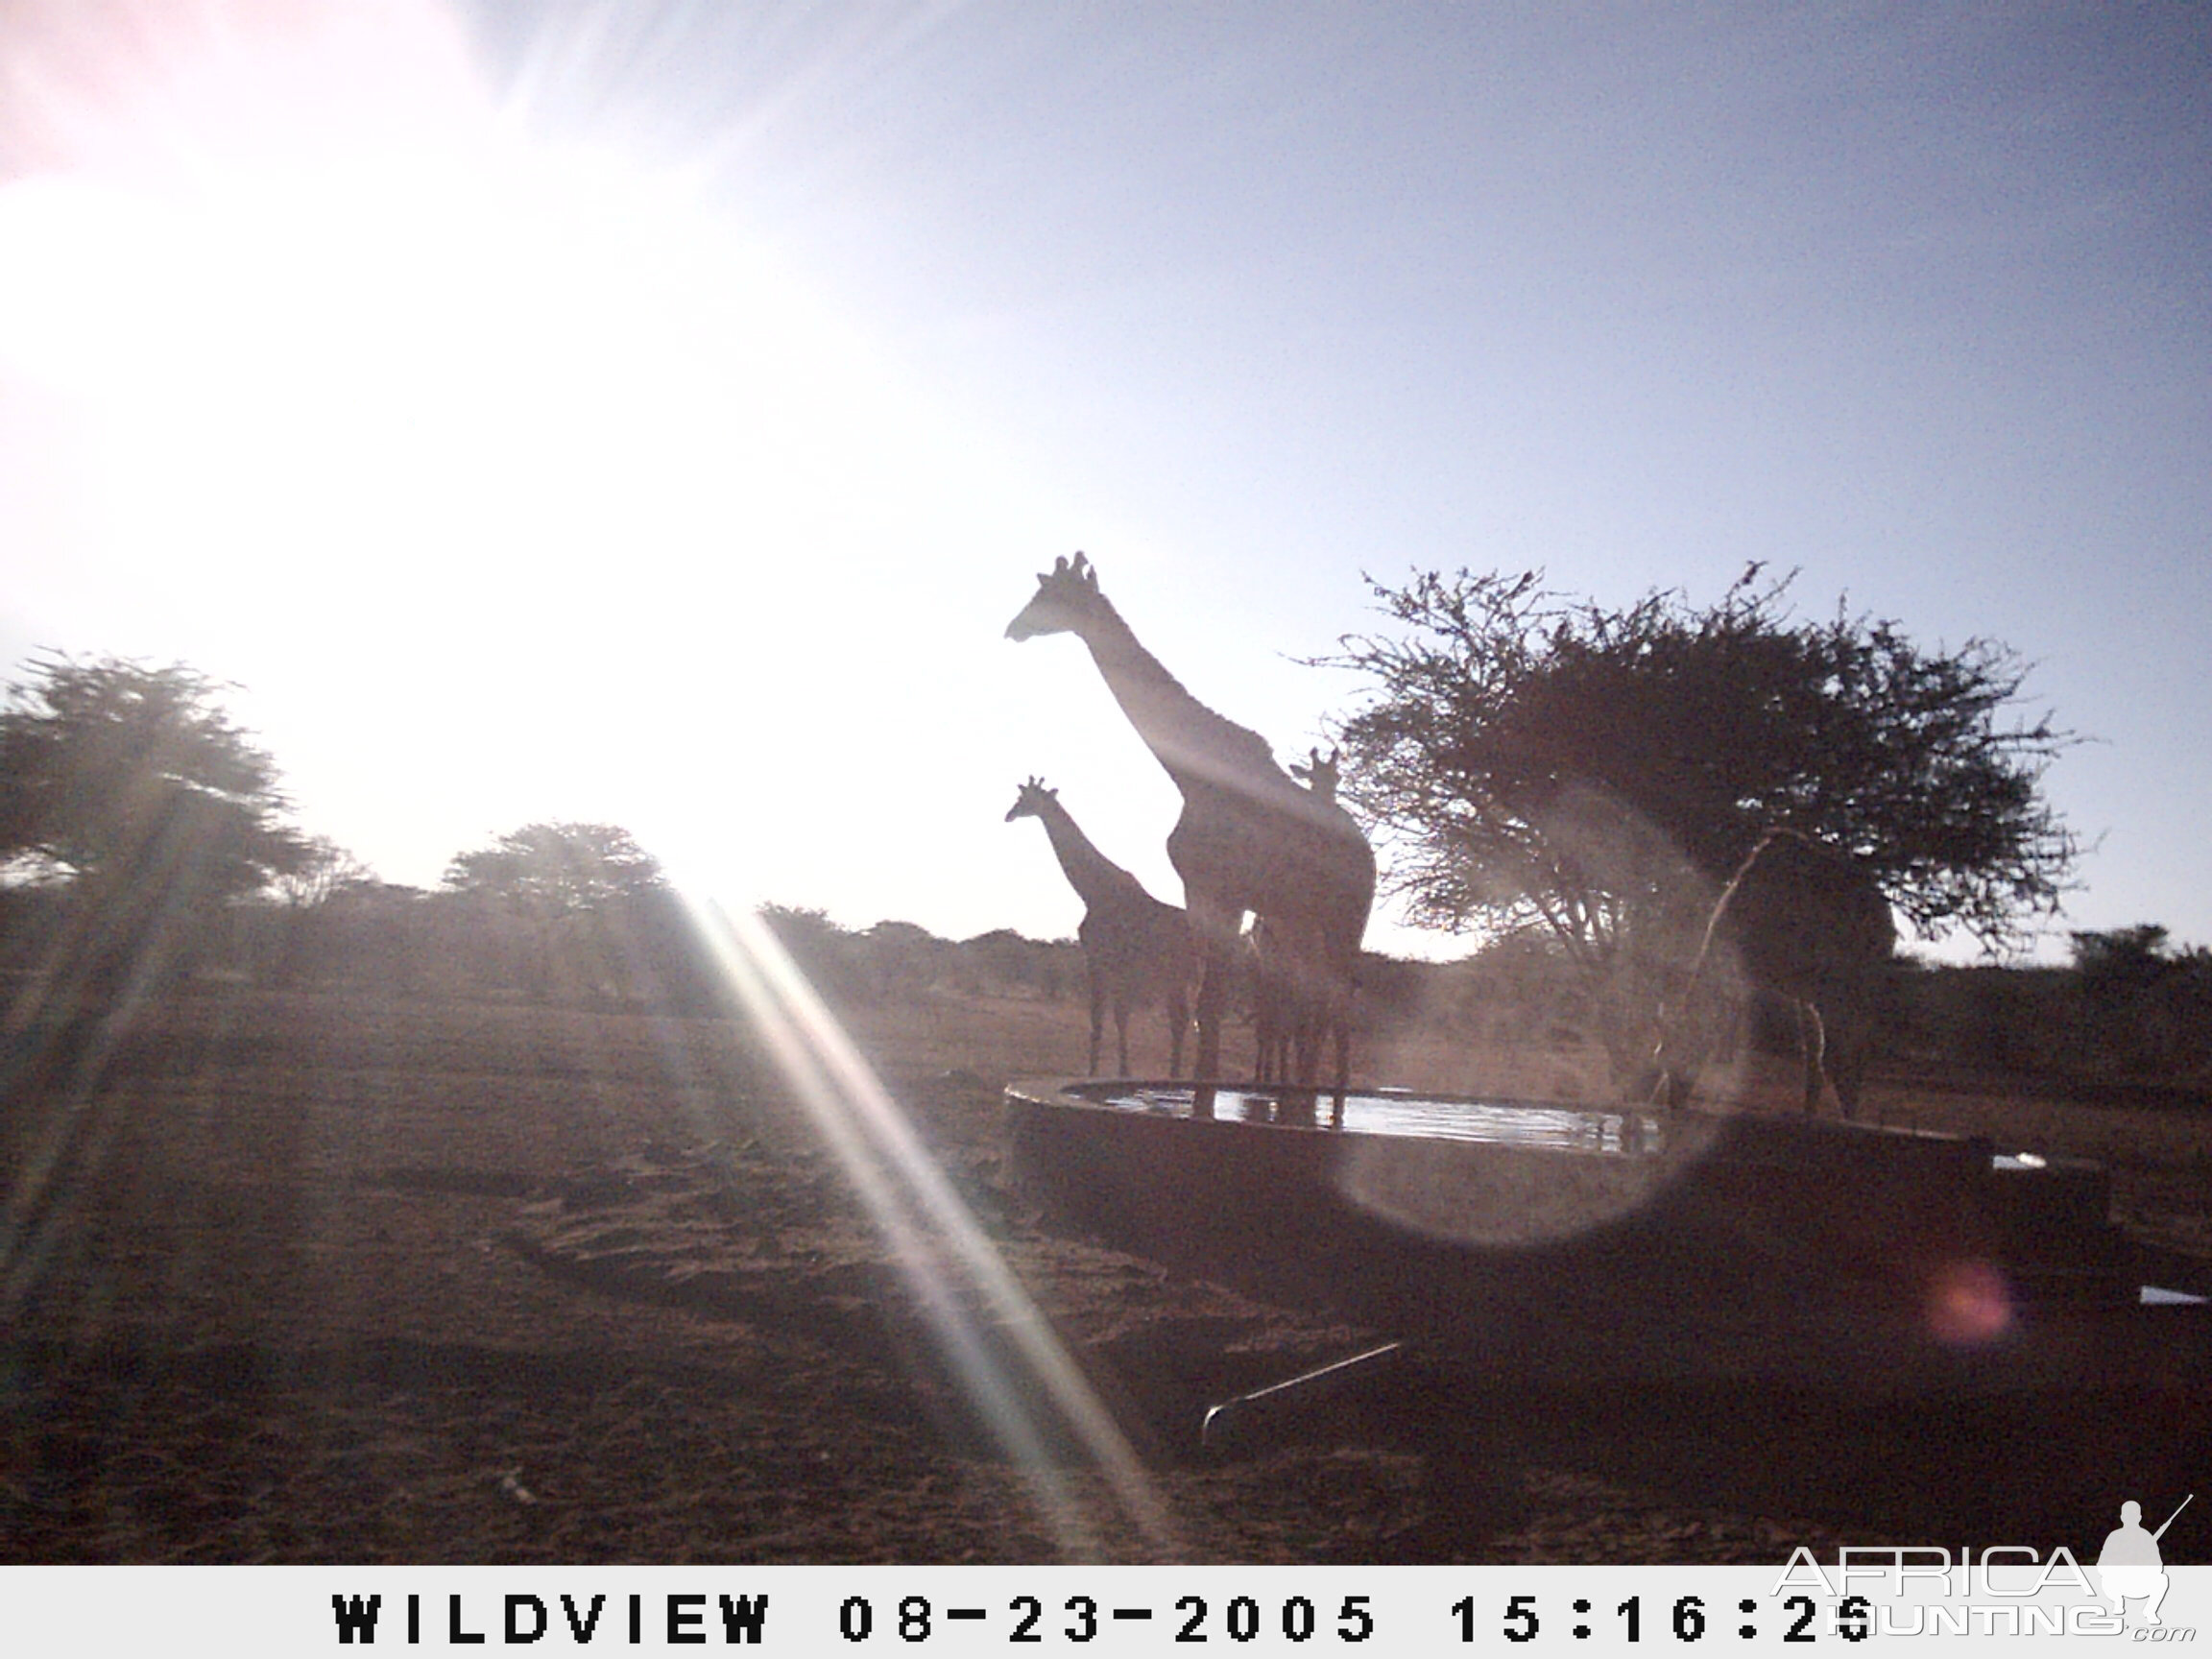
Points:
1583	1242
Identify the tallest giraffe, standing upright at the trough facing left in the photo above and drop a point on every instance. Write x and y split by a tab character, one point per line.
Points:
1249	837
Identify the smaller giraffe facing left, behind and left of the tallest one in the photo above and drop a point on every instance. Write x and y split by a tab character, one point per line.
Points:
1136	950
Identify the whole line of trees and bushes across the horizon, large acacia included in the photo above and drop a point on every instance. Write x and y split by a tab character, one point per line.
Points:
145	846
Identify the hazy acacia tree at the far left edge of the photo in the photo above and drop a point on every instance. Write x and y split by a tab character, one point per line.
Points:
134	793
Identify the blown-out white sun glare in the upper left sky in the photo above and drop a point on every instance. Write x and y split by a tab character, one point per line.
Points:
439	435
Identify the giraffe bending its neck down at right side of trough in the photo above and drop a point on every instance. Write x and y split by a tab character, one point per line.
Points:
1804	924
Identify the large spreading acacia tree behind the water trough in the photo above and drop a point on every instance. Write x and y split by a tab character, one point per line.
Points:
1541	760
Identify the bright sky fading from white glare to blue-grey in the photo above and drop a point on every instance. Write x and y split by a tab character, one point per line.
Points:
656	413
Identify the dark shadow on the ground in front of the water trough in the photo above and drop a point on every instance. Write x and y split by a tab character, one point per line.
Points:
2034	1470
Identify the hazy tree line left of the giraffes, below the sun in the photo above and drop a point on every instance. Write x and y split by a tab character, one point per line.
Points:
145	844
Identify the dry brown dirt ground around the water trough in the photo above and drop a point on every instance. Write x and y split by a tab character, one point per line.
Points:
333	1280
